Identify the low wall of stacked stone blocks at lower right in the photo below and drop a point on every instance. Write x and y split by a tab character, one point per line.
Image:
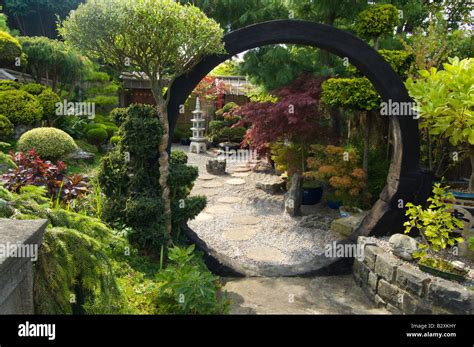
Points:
403	289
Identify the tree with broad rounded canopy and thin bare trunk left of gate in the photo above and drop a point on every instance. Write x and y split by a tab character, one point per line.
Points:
161	38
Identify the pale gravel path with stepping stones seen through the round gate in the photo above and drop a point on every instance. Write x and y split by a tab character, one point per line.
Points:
249	226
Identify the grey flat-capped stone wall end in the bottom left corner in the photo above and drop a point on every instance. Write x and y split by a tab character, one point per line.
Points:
16	273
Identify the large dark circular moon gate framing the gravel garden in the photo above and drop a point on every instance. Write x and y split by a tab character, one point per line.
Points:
406	182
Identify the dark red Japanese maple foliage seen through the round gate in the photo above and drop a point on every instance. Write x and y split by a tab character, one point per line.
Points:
296	115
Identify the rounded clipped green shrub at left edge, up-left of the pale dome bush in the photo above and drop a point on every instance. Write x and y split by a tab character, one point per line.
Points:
20	107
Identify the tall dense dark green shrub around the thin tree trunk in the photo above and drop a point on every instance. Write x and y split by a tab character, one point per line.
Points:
132	190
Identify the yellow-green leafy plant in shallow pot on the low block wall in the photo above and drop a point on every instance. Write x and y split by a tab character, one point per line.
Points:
437	227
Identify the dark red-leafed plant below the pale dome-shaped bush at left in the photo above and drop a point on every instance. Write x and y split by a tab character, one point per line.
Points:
32	170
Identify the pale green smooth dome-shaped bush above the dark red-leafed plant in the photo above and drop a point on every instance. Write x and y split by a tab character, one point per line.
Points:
50	143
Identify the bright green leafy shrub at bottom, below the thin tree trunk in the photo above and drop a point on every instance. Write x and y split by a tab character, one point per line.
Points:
187	286
